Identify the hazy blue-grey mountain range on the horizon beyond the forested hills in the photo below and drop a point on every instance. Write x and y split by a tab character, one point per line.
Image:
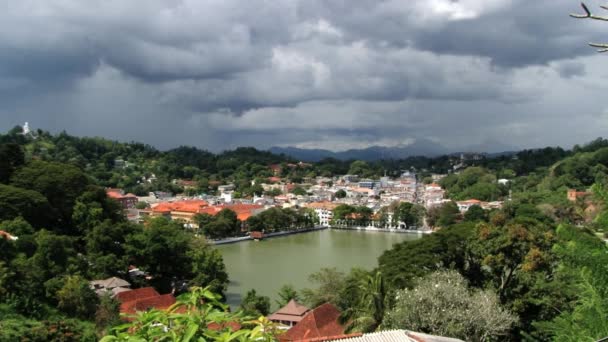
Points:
421	147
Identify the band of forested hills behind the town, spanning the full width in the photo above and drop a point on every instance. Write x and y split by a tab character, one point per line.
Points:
131	166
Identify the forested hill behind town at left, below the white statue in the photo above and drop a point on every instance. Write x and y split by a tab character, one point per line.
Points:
132	166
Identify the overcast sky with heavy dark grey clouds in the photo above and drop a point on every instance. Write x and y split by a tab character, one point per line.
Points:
332	74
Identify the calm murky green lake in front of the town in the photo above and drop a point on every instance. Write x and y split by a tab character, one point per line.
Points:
269	264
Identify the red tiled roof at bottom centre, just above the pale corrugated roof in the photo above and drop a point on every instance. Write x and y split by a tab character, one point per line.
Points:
322	322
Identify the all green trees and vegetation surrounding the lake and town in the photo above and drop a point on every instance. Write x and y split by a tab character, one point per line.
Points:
535	269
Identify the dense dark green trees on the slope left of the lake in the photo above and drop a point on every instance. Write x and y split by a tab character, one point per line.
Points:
68	233
